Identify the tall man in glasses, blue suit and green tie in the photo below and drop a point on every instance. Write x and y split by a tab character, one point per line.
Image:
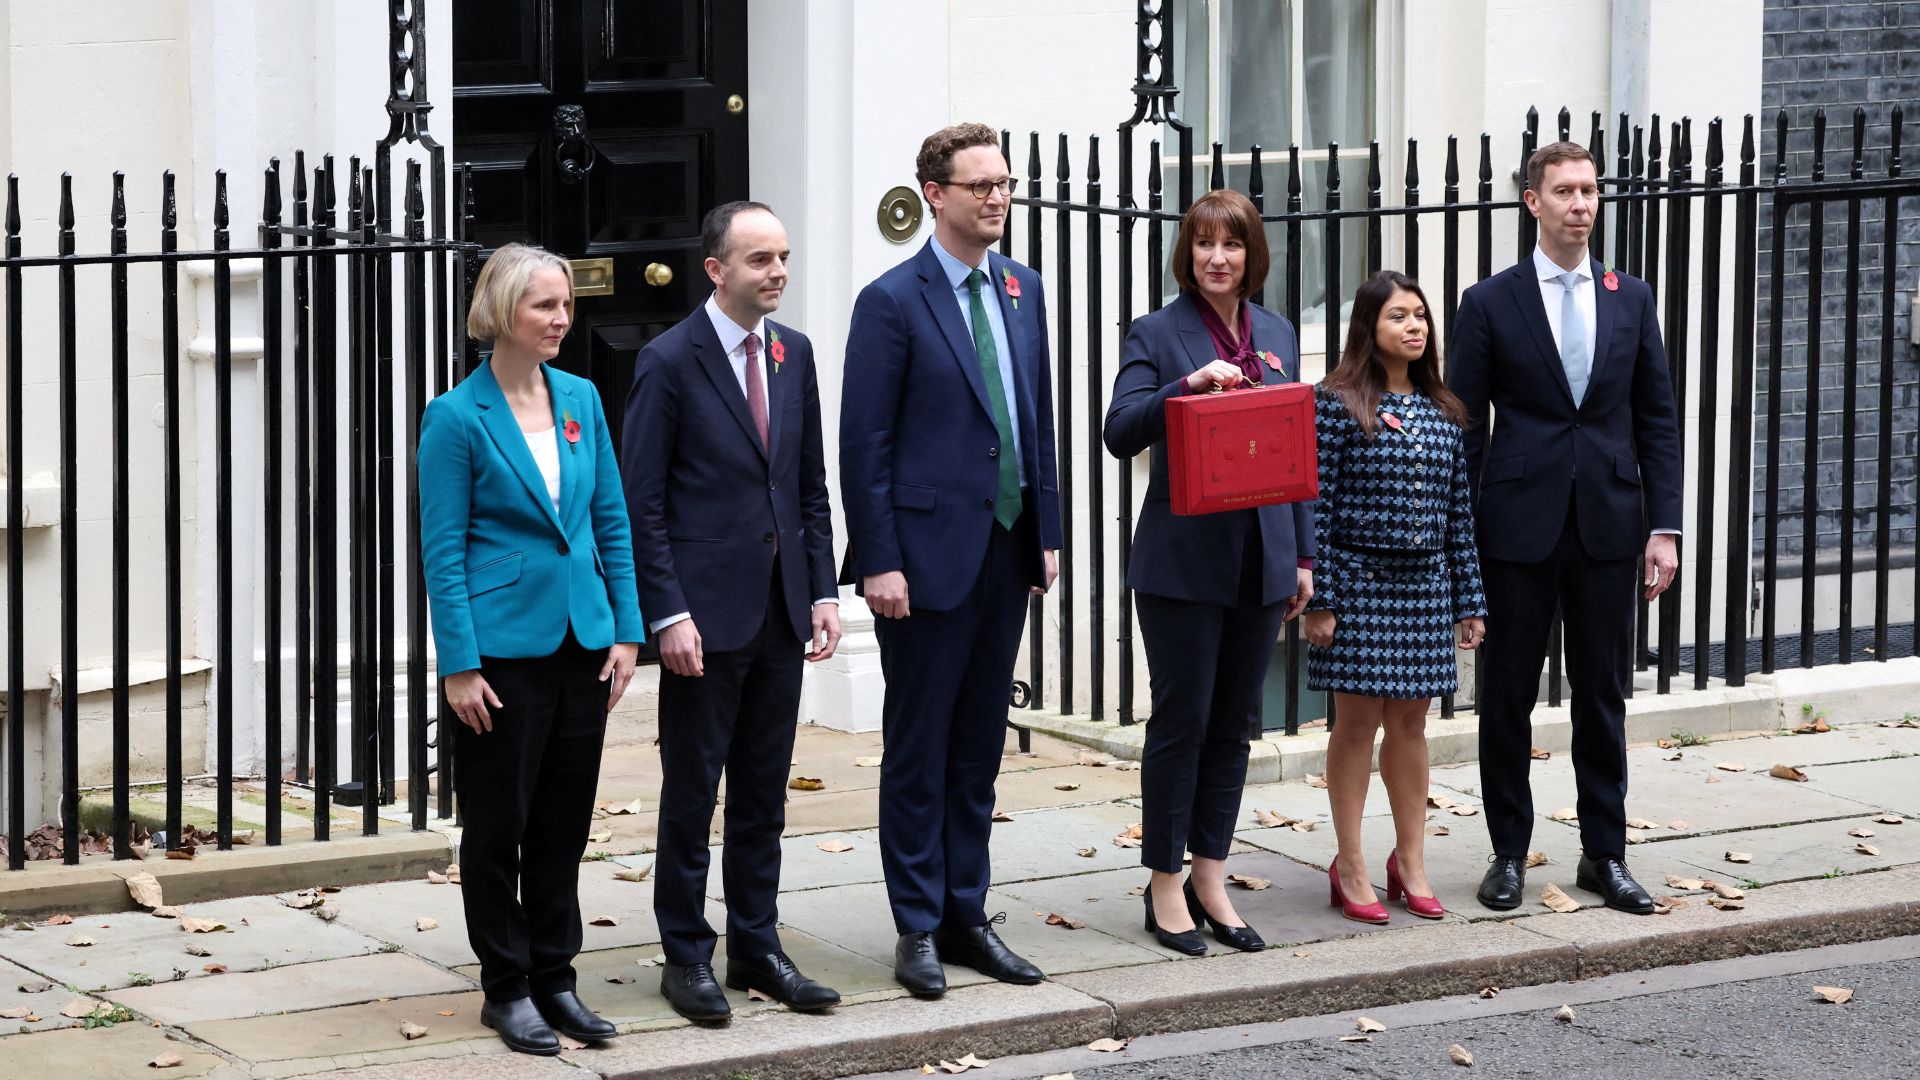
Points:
953	520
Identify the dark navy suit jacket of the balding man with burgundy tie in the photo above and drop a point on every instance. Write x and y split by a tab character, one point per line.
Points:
708	501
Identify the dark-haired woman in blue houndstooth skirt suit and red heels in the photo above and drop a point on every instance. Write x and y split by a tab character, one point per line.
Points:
1401	579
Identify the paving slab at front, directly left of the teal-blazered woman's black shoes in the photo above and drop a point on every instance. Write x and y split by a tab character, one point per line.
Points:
348	1031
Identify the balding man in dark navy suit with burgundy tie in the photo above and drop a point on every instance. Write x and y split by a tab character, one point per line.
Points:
734	551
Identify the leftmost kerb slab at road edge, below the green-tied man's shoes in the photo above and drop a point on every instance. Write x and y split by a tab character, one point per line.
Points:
882	1037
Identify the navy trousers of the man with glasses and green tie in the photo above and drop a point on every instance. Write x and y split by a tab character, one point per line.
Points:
949	679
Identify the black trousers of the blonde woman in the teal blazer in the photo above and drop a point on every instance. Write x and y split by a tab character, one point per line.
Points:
527	797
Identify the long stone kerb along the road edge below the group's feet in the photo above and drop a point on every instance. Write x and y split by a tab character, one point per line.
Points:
1366	971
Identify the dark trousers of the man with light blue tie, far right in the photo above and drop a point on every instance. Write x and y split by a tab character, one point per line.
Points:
1596	599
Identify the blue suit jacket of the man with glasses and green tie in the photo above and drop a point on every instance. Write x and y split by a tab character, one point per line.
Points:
919	447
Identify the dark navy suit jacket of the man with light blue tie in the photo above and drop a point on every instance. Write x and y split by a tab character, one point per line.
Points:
1618	453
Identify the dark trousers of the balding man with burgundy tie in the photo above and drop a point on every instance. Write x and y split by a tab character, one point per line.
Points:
736	718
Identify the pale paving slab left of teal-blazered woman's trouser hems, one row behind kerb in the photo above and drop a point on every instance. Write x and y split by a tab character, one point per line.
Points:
295	989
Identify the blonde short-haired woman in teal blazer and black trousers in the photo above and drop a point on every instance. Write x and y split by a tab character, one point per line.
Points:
529	570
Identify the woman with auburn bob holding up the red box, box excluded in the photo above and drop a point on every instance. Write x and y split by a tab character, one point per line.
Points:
1212	591
